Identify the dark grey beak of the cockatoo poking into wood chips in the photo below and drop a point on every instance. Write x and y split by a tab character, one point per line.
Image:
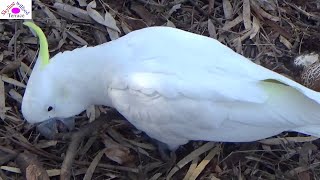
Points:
53	126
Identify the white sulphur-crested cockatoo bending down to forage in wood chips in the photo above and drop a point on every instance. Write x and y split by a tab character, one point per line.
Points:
174	85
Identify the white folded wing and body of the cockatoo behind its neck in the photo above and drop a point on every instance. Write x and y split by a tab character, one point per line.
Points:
210	94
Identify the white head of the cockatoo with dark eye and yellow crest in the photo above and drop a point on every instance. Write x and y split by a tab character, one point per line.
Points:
50	92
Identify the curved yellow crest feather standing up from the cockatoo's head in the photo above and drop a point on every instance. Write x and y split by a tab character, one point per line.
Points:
44	50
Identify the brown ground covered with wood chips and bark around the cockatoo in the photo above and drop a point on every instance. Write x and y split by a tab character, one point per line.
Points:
271	33
